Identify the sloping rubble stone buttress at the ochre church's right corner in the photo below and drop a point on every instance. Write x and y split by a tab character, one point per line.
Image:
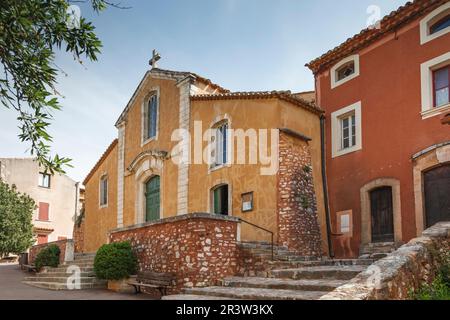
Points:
298	225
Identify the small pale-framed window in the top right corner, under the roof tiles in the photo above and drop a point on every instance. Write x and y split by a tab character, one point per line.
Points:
435	24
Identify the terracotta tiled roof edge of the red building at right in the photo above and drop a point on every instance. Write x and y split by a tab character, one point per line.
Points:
391	22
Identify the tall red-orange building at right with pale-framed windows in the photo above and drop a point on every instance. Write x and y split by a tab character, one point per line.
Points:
385	93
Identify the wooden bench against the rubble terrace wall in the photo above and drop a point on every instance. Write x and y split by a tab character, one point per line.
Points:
155	280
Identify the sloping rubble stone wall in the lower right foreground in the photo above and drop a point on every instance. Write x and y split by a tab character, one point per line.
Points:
393	277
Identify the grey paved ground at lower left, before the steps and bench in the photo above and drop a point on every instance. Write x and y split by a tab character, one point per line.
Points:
12	288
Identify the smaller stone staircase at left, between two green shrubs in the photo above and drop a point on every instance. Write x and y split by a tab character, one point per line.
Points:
56	278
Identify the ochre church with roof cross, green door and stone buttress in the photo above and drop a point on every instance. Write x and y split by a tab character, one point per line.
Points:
186	145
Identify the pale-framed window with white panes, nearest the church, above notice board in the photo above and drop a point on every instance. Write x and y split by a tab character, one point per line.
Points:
346	130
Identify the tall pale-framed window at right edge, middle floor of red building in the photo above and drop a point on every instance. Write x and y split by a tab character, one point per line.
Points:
435	85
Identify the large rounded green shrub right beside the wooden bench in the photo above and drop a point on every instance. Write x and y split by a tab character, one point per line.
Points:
115	261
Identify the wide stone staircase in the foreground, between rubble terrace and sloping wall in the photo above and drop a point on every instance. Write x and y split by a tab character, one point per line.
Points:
287	277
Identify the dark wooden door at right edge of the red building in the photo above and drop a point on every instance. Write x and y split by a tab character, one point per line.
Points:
437	195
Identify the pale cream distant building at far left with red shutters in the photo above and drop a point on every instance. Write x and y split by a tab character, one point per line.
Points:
56	197
